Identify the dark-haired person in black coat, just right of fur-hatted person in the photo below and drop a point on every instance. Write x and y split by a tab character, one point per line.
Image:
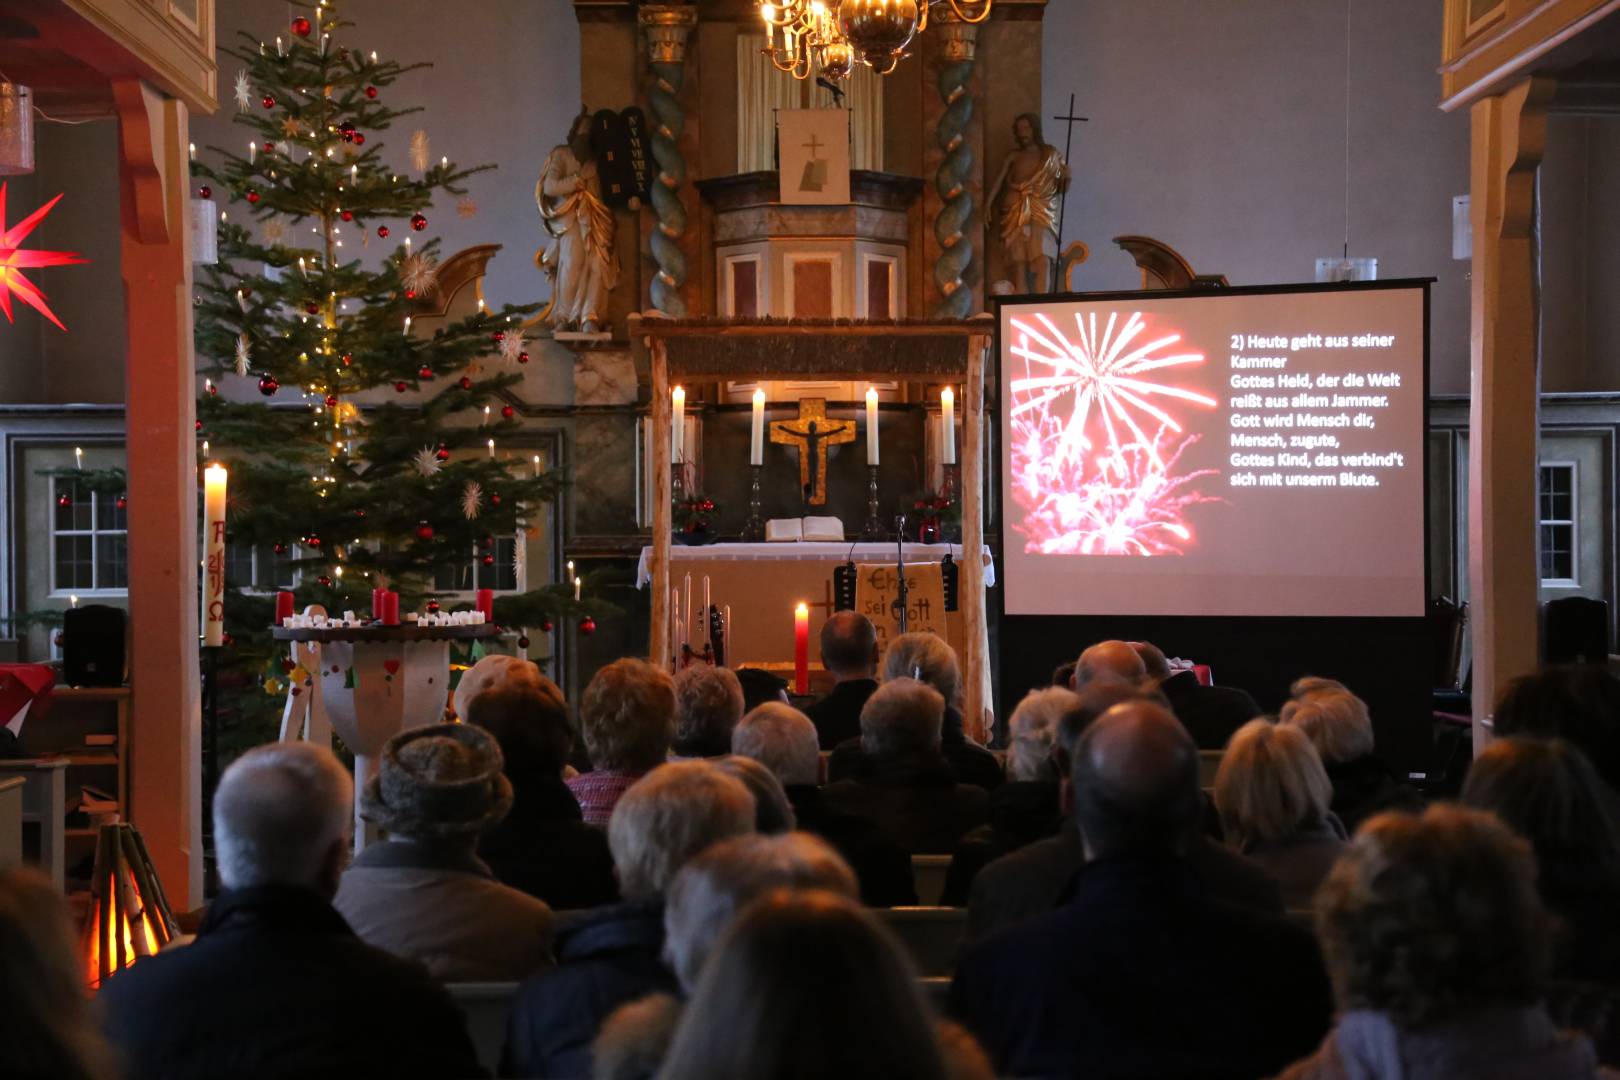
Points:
544	848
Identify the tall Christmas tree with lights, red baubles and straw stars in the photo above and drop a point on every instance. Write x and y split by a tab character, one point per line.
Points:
331	480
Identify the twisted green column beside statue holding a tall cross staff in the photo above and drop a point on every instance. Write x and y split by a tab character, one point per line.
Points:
952	177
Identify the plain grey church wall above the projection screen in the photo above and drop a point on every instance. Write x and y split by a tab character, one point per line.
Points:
1221	130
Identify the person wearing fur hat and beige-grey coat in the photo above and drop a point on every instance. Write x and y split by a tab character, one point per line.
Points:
424	893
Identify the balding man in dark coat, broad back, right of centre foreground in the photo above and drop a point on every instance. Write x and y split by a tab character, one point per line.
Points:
1143	974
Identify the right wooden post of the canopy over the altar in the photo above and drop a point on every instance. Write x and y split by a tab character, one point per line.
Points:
973	571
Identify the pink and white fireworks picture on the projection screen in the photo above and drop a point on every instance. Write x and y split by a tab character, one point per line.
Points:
1094	441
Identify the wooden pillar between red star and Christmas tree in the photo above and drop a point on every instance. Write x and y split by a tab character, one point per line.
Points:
166	765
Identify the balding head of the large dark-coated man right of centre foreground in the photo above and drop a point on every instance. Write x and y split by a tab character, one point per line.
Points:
1136	783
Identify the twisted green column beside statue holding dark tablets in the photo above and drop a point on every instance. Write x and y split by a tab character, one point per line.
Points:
667	28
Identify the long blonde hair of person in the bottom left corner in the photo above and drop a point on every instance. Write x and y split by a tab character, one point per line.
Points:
51	1029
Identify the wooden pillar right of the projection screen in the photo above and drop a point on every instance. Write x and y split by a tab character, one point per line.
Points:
1509	140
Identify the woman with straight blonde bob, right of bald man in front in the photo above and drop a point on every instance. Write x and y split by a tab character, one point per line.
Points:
1273	797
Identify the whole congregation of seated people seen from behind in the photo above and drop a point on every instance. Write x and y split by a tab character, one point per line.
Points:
688	877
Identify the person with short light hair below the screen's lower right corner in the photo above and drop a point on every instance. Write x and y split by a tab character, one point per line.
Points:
1339	726
